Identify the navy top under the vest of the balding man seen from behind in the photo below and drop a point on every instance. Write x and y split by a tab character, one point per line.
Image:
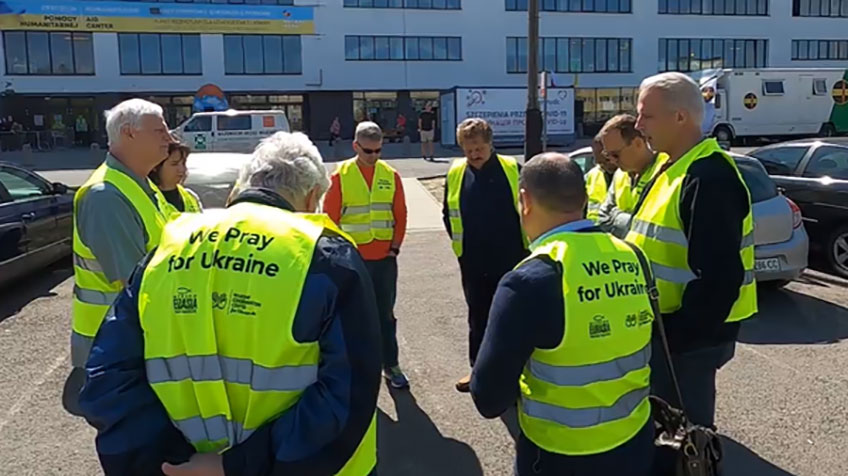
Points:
527	313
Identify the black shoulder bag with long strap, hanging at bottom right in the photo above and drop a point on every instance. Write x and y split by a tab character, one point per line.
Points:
699	450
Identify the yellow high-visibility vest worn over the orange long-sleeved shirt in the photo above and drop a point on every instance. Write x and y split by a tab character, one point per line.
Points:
367	212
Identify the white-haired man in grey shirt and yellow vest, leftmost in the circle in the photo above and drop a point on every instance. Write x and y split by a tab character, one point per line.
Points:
116	216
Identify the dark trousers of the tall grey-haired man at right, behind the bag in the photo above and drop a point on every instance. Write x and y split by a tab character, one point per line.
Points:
695	371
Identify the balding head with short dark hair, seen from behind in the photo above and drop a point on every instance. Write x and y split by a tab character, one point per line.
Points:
555	182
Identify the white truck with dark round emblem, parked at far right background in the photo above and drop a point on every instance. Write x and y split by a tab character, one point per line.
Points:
766	102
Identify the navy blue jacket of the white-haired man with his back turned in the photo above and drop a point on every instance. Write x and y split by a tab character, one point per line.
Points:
316	436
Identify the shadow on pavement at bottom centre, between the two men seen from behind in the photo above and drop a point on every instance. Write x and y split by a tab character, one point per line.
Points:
413	445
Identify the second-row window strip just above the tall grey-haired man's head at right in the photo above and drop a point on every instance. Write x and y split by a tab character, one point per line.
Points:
694	54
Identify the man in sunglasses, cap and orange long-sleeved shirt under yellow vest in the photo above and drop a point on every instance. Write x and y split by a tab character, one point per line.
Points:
366	200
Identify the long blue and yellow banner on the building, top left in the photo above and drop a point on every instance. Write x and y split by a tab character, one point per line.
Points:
142	17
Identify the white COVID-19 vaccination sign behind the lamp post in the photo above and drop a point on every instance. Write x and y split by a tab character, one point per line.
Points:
504	109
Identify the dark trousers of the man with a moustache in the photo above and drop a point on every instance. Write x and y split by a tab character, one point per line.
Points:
479	288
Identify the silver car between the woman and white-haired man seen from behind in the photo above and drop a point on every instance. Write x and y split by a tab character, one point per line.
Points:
211	175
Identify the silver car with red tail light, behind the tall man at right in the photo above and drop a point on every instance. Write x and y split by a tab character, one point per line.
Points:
780	240
